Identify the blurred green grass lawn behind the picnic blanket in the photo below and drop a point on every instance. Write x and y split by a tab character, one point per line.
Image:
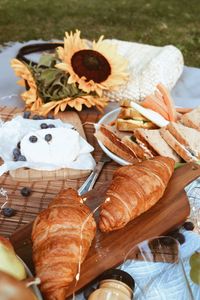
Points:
156	22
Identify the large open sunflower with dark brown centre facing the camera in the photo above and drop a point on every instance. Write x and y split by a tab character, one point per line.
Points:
95	68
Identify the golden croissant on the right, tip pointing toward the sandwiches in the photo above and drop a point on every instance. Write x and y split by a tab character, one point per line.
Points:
133	190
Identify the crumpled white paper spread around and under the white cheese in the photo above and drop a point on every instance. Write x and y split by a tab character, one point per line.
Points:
11	132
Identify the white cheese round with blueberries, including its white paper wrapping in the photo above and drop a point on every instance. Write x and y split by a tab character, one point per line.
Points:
40	143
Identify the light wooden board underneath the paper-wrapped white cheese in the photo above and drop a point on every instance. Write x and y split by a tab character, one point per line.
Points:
25	174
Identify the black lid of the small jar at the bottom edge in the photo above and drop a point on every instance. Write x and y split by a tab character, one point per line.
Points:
119	275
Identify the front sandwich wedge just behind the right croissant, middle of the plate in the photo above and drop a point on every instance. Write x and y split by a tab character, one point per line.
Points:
153	144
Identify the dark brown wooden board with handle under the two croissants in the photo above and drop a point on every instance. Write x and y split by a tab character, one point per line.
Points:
110	249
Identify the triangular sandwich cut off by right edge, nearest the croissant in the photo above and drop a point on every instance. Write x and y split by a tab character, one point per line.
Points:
183	140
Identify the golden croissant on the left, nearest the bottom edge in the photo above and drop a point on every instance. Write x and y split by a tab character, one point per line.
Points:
62	235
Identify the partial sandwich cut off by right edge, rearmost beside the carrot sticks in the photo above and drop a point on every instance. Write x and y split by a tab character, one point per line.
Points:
192	119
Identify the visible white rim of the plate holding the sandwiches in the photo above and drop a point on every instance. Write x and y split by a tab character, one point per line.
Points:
105	120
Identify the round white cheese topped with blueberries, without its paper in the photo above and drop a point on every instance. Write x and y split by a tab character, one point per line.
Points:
57	146
